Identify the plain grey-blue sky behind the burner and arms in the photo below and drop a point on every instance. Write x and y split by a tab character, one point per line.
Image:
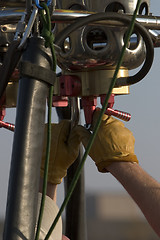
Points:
143	103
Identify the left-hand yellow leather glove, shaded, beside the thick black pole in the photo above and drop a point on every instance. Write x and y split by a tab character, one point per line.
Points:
64	151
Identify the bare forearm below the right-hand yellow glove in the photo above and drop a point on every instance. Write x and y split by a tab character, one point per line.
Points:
144	189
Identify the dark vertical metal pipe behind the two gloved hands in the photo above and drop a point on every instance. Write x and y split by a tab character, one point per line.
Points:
75	211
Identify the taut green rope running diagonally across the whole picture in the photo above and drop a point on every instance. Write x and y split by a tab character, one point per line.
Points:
78	171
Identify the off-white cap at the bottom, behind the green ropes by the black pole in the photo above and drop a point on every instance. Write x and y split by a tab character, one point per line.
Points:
50	212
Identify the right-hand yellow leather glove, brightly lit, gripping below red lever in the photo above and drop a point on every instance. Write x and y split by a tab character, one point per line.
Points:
113	143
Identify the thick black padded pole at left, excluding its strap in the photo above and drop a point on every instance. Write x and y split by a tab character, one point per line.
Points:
21	209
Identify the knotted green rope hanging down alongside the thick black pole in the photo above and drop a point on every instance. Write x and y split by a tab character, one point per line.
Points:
49	38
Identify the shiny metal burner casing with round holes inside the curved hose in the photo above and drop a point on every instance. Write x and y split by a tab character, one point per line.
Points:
98	47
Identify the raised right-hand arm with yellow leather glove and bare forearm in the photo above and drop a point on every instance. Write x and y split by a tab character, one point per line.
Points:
113	151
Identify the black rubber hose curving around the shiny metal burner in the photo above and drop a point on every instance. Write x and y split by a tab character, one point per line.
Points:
125	20
